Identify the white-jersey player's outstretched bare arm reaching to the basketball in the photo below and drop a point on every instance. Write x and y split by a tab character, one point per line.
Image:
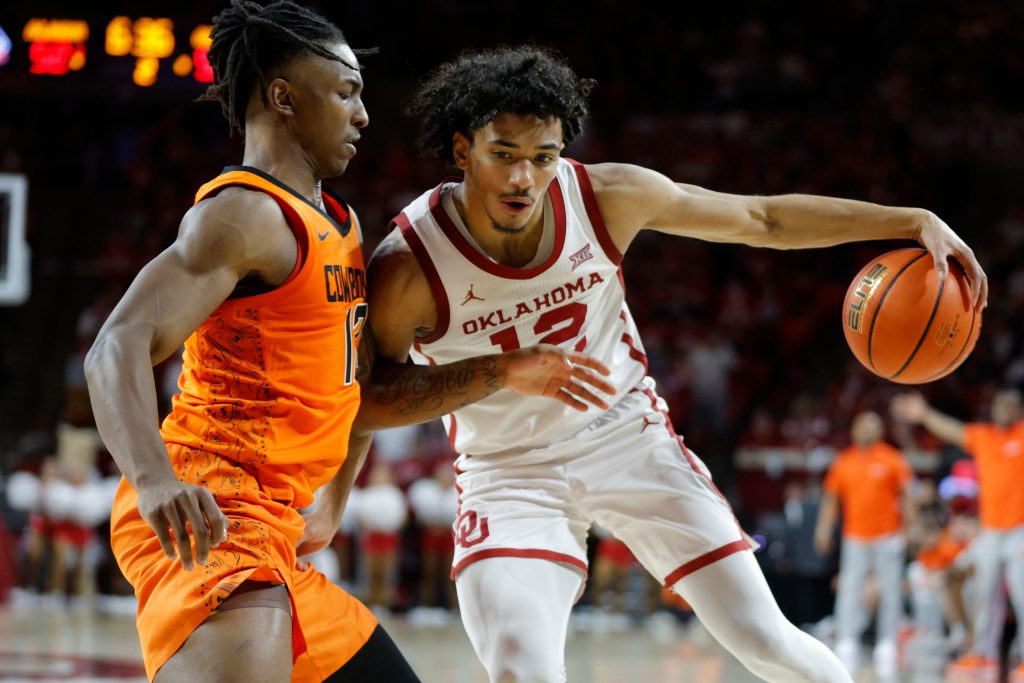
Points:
632	199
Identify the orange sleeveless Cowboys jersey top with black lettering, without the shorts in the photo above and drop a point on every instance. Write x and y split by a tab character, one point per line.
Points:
269	381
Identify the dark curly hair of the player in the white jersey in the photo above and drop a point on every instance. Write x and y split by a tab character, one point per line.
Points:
466	94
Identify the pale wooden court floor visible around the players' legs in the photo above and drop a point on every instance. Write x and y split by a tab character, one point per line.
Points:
82	644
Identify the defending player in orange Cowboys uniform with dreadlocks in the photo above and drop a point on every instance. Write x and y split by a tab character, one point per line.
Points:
266	287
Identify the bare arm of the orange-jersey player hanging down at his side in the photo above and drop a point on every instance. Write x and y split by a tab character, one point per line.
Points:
220	242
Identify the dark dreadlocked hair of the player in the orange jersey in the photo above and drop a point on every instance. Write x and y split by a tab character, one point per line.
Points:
249	40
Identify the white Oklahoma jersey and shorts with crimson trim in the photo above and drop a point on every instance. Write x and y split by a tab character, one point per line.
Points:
534	474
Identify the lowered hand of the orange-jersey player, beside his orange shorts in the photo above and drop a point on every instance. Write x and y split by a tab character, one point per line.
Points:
169	506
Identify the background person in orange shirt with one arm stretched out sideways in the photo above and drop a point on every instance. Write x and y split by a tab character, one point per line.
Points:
998	449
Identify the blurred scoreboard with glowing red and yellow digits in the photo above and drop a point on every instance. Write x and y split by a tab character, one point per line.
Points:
59	47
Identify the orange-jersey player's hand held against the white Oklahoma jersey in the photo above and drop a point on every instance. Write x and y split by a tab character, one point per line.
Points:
567	376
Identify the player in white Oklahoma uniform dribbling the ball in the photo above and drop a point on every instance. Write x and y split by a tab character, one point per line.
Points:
527	250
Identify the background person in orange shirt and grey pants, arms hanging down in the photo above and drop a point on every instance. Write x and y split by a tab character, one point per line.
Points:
869	481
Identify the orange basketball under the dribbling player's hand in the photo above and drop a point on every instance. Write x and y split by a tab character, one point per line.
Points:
904	324
